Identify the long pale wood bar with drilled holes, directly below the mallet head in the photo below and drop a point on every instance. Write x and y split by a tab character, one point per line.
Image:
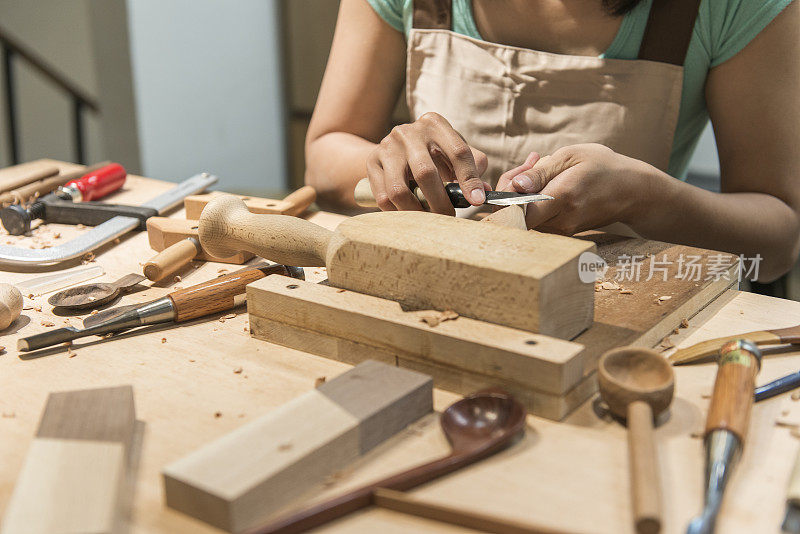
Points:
532	360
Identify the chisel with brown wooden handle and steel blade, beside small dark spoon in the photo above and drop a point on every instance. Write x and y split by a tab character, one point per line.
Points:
214	296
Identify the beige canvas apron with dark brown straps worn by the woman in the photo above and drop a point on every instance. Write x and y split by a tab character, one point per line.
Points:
509	101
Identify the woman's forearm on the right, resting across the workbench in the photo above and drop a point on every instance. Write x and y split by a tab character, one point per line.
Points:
749	224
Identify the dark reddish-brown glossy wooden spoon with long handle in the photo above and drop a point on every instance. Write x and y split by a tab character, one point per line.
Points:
477	426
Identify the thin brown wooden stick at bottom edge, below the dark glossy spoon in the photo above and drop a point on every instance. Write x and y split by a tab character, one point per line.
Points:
406	504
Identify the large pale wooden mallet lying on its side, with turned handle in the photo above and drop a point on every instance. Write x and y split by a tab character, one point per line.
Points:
424	261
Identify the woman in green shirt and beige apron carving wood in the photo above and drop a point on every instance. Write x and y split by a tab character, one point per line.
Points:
613	94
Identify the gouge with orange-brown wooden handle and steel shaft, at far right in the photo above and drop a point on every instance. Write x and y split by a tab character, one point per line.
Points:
726	424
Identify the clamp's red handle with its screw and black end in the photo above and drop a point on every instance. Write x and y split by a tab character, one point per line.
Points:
91	186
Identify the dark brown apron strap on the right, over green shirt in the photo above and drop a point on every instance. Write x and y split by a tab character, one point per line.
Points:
669	30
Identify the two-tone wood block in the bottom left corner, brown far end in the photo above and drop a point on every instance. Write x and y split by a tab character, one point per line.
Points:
72	477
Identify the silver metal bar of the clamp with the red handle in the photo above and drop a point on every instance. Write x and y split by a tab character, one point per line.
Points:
104	232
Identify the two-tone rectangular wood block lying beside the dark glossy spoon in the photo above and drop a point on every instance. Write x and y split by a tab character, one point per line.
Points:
241	478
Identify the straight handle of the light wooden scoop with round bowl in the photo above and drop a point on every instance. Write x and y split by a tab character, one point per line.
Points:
645	480
